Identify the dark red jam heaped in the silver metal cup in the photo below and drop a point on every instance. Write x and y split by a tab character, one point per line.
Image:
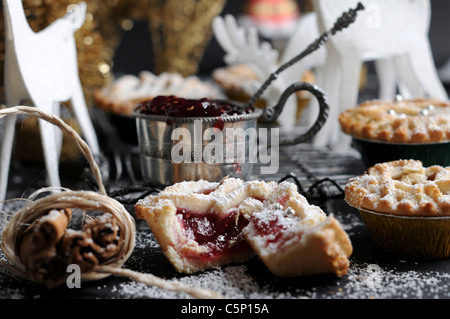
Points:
173	106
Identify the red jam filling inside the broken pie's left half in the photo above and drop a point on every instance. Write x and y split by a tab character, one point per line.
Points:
221	235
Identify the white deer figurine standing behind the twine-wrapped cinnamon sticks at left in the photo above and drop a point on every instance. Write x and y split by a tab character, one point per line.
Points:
42	67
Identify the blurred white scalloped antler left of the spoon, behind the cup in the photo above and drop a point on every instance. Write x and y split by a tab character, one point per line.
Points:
243	46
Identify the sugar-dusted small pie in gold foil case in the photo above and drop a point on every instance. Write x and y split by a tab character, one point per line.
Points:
405	206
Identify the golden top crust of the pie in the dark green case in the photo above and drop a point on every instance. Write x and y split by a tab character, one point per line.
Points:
403	121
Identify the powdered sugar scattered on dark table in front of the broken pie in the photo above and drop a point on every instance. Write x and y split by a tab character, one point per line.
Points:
363	281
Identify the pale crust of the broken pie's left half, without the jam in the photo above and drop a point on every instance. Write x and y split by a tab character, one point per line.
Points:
160	212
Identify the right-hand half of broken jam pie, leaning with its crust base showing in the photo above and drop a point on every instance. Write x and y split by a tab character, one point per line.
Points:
289	247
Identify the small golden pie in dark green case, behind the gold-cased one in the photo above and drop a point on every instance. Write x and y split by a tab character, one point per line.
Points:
384	131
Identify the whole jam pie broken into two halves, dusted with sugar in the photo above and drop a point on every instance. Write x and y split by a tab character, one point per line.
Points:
201	225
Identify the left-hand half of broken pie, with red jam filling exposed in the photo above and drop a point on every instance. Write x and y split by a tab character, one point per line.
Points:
199	224
